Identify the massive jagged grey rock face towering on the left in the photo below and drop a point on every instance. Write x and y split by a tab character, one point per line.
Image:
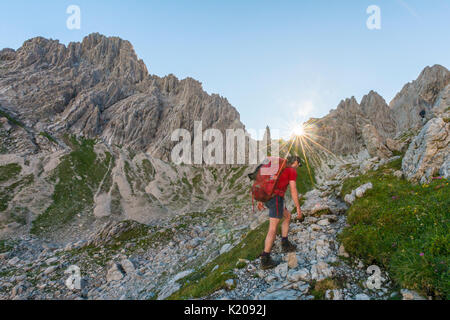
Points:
99	88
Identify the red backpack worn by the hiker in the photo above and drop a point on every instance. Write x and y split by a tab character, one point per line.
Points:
267	178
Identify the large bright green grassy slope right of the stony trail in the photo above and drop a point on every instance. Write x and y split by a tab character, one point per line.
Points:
402	227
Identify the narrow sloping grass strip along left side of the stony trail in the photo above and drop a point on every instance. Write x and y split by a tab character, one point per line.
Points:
204	281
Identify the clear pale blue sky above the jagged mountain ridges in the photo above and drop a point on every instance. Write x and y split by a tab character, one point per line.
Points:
277	62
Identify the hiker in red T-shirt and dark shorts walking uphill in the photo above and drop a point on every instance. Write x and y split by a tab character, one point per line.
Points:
277	211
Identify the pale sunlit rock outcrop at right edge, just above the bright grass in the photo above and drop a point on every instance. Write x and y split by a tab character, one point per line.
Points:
428	152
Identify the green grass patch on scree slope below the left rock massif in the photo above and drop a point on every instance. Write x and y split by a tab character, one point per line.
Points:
78	176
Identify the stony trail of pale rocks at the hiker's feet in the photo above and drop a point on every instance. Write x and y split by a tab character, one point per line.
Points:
318	257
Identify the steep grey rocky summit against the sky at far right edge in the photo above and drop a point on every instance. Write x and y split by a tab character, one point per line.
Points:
428	91
